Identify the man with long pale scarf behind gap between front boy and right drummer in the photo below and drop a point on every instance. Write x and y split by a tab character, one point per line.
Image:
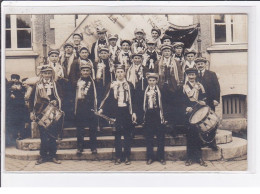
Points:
170	81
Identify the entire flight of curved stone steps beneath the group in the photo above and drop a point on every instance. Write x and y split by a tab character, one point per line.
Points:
175	149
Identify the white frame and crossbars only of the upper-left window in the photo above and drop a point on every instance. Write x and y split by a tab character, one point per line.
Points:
14	39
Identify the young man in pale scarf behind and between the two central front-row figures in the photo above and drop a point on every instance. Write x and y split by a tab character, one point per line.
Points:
136	75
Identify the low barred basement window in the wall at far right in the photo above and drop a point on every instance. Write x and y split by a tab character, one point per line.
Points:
234	106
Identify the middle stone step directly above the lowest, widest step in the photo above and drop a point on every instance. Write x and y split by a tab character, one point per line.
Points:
108	141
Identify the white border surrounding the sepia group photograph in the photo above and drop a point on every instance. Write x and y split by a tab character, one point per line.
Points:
151	179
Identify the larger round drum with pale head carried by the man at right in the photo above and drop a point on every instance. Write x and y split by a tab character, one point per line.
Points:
206	120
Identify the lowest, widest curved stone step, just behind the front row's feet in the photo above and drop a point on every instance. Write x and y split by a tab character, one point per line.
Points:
234	149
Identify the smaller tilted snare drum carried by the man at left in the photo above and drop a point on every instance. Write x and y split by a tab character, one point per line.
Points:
49	116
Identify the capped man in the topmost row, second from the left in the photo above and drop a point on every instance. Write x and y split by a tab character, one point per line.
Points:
102	41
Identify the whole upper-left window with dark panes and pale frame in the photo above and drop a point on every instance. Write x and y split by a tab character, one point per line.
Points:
18	32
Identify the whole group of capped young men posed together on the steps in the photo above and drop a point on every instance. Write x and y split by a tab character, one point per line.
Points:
150	82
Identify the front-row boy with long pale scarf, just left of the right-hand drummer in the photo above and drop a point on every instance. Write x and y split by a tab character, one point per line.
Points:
153	118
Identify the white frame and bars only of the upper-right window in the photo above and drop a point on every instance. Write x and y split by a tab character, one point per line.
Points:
228	24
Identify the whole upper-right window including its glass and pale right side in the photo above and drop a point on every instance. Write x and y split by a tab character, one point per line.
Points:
229	29
